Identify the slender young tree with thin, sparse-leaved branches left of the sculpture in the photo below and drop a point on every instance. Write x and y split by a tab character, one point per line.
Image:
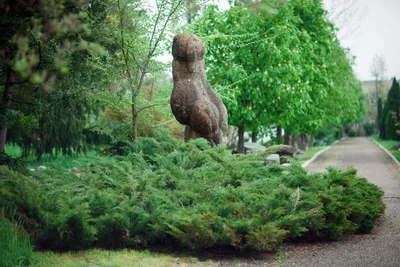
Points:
142	37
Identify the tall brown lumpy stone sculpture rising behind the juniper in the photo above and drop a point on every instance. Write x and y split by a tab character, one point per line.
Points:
193	102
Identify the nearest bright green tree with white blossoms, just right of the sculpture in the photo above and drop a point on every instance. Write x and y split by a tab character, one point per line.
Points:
255	91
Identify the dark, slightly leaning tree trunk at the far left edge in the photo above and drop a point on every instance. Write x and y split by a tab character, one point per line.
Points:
6	102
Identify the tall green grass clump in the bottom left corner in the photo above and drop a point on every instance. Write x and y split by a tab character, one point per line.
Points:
15	246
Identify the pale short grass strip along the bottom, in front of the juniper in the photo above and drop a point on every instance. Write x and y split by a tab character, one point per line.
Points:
98	257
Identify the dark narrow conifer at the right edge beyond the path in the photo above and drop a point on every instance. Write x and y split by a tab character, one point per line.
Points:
391	112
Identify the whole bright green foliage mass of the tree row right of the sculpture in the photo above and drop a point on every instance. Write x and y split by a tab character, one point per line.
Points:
289	71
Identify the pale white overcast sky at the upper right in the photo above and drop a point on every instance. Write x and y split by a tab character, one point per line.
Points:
378	33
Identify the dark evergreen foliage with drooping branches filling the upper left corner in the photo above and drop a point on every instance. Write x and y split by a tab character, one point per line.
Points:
46	80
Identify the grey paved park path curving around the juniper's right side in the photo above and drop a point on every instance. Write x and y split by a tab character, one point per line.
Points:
382	246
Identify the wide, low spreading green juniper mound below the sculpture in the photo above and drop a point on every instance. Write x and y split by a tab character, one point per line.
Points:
166	192
